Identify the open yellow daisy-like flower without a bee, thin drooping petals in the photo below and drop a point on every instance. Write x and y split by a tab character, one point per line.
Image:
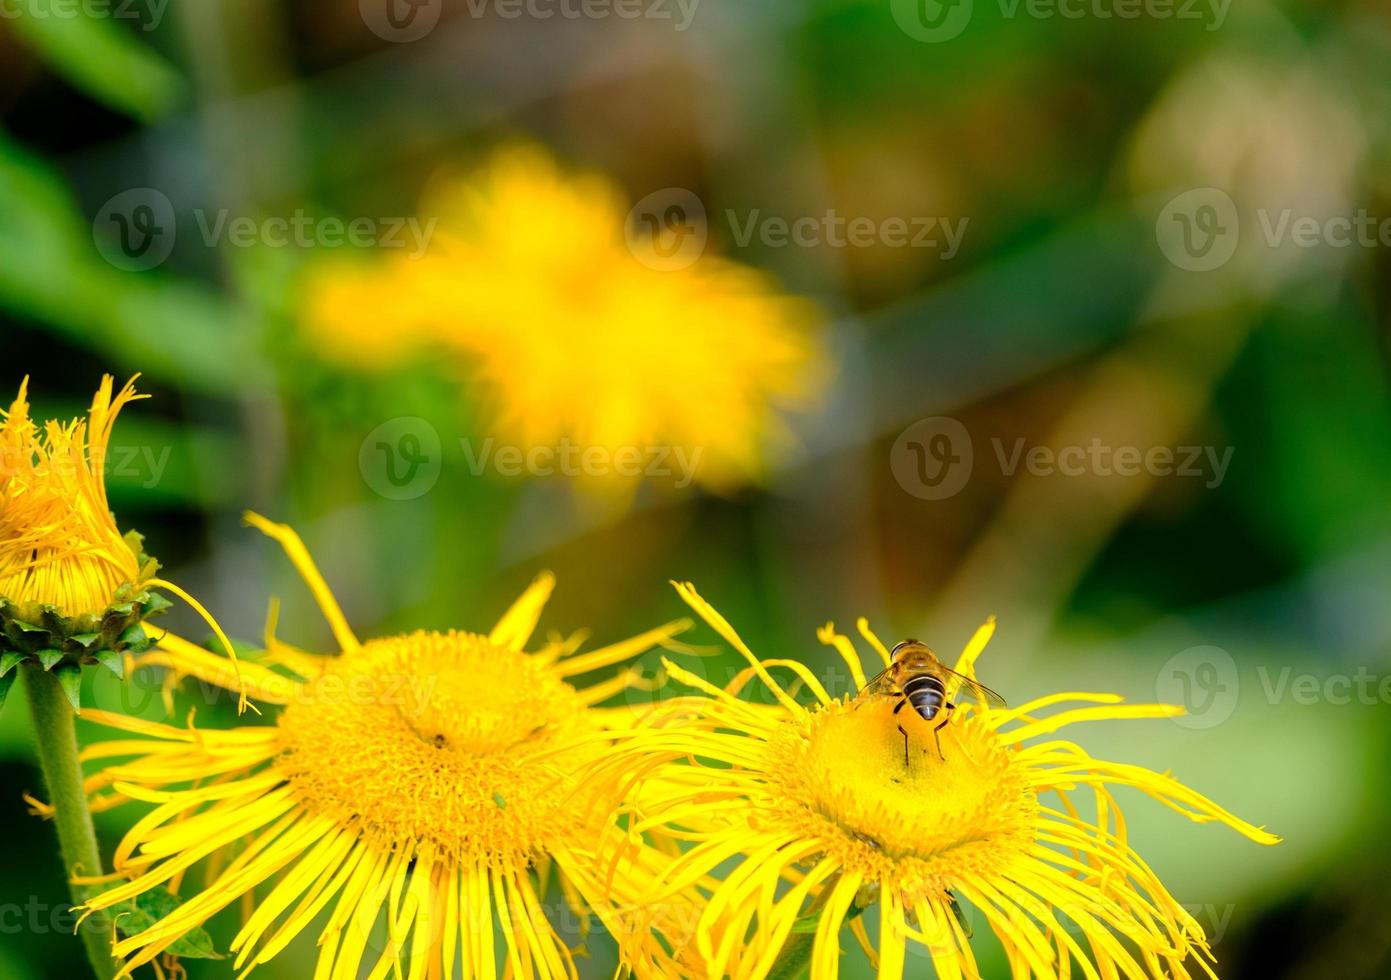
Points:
419	789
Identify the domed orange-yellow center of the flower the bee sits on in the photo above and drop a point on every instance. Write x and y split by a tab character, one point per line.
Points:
842	778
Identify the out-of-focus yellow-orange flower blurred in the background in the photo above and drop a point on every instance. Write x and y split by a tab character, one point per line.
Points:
532	288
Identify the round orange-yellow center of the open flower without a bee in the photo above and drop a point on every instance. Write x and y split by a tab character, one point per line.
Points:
444	739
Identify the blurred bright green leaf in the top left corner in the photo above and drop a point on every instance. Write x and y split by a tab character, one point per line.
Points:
101	56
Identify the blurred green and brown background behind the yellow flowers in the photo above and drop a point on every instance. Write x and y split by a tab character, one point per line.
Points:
1073	313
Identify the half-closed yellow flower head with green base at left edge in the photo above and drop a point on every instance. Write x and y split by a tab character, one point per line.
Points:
74	589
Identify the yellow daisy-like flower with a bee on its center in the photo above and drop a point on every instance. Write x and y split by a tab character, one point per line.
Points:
827	818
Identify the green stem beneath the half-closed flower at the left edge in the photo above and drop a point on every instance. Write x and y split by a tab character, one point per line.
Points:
58	742
